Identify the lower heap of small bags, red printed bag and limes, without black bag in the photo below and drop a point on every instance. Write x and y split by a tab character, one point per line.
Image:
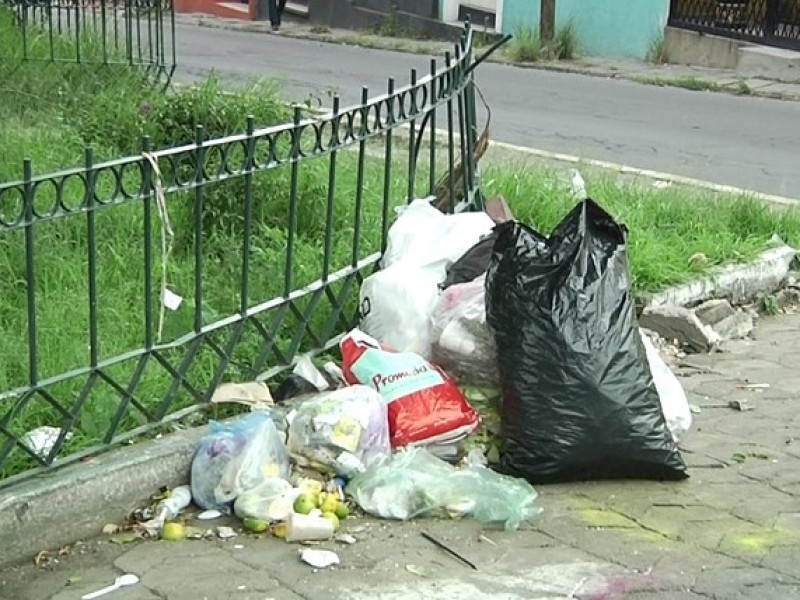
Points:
293	468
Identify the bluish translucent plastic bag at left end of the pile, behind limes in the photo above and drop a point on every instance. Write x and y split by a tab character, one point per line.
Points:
235	457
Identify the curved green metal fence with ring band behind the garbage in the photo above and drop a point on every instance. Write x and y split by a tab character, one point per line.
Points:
219	260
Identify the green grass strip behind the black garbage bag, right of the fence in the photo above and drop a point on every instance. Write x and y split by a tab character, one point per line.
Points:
667	226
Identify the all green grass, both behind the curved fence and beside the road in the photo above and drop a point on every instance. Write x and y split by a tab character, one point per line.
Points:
112	109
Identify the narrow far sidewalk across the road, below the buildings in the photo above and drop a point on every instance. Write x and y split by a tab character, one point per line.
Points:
684	76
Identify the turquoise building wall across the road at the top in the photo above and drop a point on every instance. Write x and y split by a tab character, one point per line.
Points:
606	27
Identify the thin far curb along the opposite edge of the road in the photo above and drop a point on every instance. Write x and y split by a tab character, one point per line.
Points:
562	67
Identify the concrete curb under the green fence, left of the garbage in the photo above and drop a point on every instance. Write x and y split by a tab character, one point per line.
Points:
72	504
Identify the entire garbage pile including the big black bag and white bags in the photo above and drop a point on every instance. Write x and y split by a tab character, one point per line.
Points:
463	304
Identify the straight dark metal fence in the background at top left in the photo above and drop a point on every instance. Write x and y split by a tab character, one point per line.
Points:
138	33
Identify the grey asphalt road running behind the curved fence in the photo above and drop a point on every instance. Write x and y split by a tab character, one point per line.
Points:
741	141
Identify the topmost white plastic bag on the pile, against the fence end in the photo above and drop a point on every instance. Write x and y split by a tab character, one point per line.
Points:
423	235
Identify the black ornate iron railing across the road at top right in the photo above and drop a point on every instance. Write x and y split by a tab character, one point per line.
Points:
769	22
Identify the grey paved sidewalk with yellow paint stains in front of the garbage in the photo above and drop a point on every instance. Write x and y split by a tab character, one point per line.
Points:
731	531
